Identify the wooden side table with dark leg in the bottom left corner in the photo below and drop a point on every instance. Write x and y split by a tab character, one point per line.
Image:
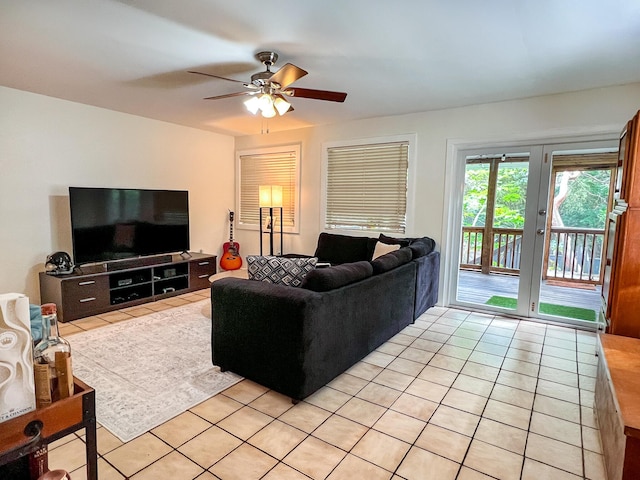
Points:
61	418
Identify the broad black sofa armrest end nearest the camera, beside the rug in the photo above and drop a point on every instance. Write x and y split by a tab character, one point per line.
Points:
260	330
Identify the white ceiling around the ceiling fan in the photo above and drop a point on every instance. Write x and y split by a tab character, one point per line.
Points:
391	57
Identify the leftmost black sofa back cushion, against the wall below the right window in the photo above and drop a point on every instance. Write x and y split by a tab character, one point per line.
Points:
337	249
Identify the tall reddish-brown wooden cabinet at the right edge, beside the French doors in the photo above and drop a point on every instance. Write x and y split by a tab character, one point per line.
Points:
621	280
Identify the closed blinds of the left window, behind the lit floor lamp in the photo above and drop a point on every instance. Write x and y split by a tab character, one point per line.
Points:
269	166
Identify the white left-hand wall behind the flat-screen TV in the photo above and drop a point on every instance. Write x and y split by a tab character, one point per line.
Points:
47	145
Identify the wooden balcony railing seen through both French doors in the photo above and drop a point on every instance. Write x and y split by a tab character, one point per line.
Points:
572	254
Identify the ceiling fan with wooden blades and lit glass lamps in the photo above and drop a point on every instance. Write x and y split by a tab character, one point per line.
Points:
267	90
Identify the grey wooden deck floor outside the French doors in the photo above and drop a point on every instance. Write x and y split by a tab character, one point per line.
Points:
476	287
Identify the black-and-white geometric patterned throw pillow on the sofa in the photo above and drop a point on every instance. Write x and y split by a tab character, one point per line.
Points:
279	270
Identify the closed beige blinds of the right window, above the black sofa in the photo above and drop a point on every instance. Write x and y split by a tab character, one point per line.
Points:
367	187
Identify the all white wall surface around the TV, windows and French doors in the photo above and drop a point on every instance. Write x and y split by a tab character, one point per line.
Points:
47	144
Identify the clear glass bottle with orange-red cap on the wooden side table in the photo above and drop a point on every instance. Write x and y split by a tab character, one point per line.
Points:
52	361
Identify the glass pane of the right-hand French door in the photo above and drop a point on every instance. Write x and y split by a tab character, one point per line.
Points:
580	196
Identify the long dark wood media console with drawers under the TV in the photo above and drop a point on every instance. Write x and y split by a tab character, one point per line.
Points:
95	289
